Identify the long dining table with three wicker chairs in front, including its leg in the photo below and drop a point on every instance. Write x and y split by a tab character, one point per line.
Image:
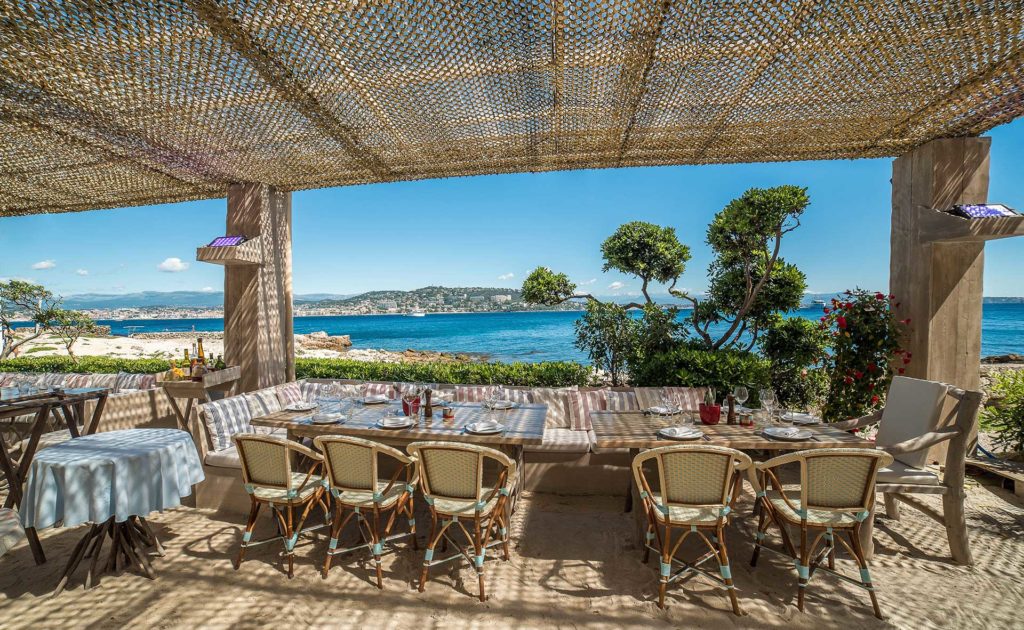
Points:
524	426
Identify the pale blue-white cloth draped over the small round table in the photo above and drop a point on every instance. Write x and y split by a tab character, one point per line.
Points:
119	474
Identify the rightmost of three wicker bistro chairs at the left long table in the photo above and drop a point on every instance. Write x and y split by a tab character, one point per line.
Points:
453	485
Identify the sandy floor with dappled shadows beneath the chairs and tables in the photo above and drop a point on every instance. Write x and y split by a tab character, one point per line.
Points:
574	565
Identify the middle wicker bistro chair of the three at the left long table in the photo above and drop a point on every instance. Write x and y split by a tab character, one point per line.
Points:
355	483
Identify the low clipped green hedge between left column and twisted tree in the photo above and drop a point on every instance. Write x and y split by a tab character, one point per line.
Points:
556	374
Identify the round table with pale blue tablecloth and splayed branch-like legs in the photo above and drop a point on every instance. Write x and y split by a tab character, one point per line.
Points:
112	481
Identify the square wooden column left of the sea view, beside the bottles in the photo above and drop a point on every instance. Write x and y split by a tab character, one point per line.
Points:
259	334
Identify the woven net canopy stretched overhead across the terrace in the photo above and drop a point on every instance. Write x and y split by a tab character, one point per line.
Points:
141	102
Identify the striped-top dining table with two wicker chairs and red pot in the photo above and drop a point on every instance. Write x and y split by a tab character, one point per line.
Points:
641	430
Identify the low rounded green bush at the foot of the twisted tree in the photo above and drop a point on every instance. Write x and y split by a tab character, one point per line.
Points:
693	366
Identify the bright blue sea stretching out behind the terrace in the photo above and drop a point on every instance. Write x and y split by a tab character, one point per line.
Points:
526	337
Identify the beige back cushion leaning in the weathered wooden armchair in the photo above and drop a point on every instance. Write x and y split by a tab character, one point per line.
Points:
914	408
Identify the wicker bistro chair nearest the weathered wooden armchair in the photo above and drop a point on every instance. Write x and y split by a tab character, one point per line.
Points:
837	491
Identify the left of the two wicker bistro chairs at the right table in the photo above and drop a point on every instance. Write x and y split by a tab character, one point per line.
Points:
698	487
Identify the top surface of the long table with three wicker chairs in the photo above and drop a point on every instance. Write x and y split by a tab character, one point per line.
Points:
526	425
